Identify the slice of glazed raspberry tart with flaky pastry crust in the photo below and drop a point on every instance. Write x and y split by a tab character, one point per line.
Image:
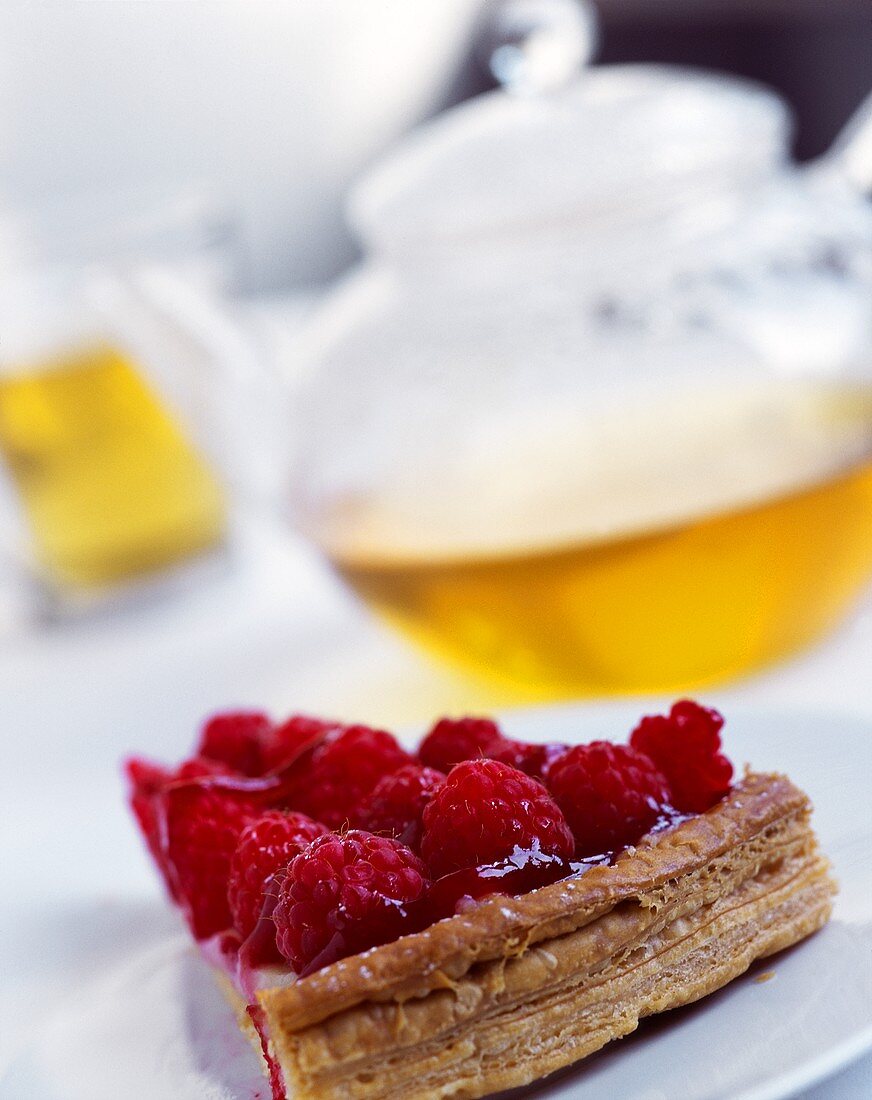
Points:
484	912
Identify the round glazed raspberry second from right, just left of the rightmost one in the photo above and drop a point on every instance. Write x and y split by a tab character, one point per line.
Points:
611	795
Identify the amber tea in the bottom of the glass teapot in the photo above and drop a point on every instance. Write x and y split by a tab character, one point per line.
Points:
705	597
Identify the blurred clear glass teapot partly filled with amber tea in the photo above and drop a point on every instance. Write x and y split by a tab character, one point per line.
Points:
594	414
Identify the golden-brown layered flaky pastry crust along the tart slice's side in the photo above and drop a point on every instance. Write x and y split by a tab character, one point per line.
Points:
522	987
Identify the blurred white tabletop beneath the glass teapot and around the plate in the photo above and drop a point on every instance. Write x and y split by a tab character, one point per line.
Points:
270	626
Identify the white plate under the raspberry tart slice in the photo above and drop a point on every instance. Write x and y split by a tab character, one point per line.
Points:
154	1026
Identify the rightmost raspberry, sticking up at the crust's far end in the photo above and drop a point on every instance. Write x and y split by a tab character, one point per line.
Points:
687	747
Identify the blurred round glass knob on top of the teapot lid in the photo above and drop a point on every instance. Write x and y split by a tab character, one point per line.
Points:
539	47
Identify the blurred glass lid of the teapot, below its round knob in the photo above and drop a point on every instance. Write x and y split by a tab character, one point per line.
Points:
619	141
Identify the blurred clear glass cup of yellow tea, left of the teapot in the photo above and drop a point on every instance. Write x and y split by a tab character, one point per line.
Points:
109	392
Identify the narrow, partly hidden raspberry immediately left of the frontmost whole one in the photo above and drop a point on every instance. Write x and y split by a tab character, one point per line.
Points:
264	850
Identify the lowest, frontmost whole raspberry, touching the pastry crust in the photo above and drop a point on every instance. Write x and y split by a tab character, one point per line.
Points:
345	895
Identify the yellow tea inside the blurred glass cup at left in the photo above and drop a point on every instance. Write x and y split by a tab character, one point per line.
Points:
112	486
